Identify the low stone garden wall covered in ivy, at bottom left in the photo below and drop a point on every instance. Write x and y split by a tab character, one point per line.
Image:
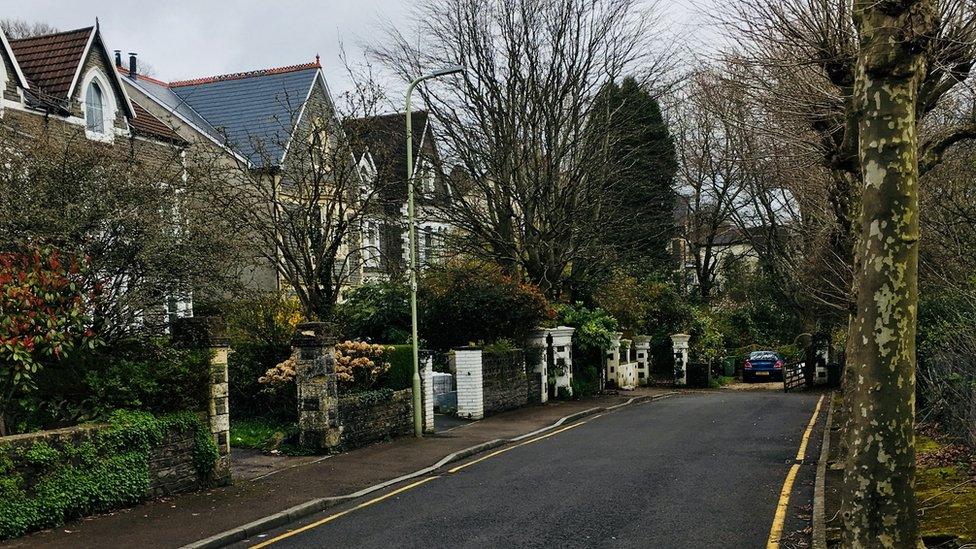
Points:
49	477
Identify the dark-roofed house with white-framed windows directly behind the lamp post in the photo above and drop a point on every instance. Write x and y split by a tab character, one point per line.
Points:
379	146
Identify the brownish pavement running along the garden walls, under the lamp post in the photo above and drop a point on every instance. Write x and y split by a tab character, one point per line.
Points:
180	520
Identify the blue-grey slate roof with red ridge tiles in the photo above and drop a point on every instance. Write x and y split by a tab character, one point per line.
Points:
254	113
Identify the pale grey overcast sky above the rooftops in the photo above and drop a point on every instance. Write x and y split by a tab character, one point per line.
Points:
191	38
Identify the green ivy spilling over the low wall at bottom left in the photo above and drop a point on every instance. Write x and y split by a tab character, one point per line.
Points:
42	485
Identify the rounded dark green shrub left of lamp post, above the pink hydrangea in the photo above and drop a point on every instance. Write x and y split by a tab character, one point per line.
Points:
376	311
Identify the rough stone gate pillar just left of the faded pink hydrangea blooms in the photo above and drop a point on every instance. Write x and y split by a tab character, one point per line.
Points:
315	380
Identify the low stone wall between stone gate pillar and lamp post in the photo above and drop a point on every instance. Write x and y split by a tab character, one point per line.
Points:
373	416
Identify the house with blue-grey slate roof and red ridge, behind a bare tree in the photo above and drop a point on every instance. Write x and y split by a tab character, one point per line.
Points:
260	124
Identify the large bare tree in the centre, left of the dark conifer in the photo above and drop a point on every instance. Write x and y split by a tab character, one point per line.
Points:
521	123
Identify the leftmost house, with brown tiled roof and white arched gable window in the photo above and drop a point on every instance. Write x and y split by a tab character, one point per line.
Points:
63	88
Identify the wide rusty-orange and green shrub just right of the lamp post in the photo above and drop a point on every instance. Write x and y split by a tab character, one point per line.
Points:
463	303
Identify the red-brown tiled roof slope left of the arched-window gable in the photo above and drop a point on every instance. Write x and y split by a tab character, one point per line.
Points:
50	62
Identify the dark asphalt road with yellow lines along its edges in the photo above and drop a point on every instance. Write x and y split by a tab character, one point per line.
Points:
696	470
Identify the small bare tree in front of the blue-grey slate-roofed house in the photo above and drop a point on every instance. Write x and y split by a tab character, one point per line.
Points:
302	214
